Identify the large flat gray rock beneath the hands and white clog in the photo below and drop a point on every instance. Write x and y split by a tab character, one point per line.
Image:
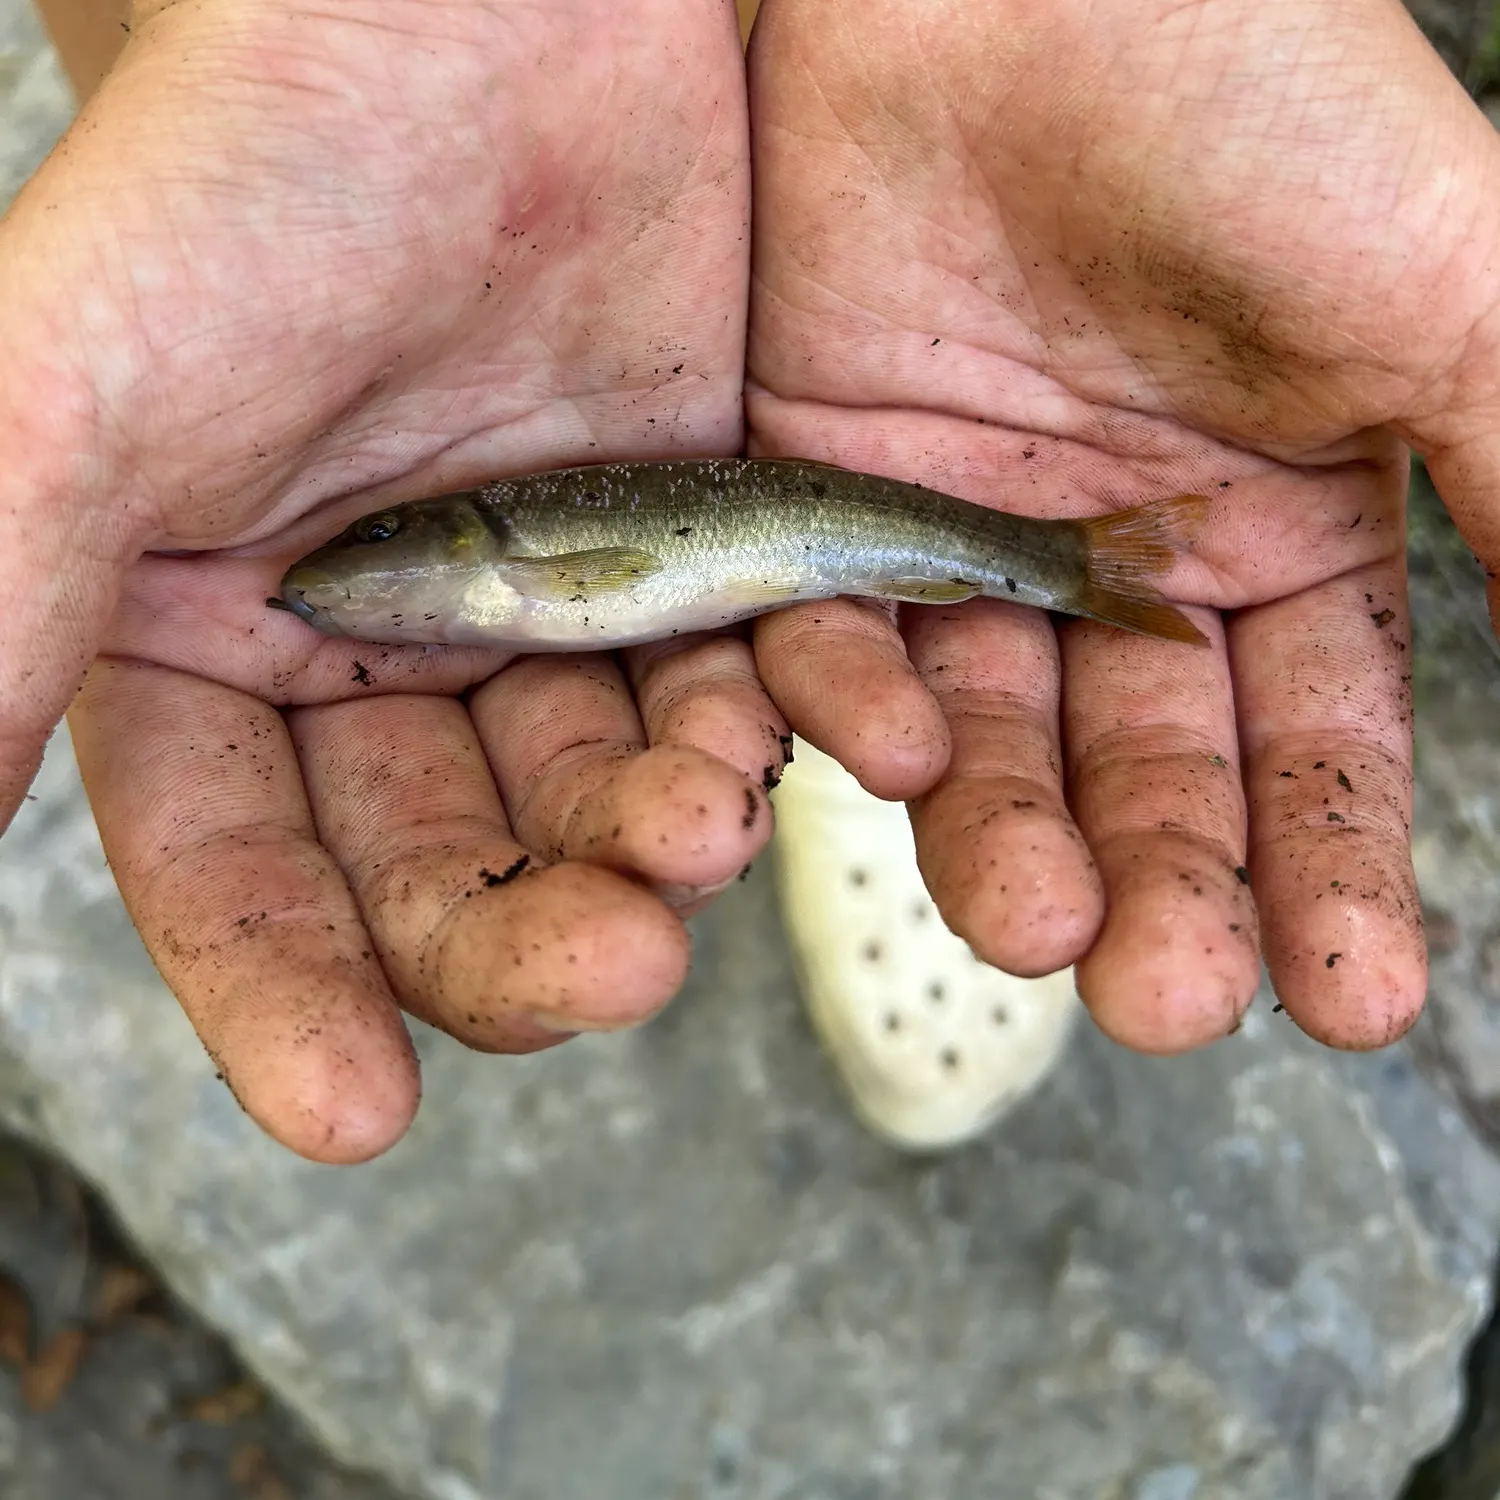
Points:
668	1264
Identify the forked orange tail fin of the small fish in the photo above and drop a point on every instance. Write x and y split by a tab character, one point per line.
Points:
1126	551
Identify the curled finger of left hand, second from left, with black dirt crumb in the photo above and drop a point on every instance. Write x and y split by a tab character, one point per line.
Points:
478	935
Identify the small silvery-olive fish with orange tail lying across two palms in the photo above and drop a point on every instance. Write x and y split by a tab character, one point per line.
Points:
620	554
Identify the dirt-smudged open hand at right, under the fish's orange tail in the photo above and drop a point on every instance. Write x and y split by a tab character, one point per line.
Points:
1067	259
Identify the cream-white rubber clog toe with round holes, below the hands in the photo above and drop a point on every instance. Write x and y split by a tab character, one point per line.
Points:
932	1043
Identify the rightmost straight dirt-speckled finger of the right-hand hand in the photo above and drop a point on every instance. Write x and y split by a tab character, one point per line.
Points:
1324	683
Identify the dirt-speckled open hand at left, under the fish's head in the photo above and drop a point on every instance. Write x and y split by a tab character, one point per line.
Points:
292	263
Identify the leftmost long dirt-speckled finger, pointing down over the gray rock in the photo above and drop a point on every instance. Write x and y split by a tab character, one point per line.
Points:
203	817
